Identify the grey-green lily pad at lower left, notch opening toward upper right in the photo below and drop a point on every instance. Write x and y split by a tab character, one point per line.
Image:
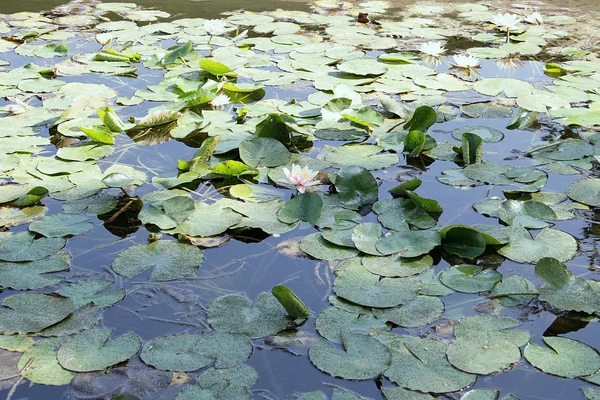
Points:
90	351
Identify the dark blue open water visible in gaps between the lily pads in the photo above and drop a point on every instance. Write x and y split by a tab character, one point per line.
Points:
257	265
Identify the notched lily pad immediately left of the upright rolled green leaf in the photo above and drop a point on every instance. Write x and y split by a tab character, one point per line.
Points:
234	313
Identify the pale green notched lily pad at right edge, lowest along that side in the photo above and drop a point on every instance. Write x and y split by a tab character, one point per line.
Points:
565	357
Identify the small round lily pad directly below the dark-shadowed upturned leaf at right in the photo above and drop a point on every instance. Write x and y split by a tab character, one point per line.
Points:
470	278
